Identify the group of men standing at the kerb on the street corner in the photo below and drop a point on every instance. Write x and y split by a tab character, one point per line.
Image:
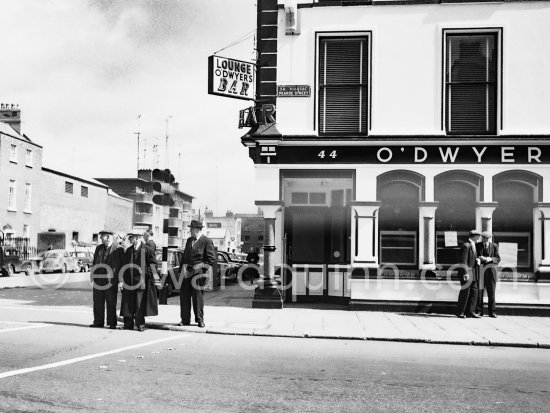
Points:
132	270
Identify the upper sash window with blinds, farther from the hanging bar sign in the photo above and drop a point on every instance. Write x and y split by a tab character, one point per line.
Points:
471	83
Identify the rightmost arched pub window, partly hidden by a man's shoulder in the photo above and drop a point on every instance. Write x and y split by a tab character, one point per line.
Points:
516	192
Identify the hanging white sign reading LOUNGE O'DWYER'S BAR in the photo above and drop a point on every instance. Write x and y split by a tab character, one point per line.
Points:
231	78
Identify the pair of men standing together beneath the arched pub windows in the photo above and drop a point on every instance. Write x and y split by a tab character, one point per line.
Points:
477	272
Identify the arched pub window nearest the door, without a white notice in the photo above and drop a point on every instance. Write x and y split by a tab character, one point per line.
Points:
400	192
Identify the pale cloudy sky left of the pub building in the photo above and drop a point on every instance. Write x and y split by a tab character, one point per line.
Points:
82	71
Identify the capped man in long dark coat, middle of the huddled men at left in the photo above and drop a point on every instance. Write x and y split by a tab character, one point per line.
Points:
139	296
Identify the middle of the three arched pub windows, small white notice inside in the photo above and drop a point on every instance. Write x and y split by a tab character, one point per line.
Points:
457	192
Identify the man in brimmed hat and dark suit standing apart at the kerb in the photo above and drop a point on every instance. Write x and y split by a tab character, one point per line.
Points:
198	257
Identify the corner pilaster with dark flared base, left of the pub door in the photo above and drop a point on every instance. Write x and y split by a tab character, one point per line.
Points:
268	294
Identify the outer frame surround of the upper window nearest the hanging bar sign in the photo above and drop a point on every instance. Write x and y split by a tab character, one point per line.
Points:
367	34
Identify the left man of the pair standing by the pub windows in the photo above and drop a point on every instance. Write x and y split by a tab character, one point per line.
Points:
468	277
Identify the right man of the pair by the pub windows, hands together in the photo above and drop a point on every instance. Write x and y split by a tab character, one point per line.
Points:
488	276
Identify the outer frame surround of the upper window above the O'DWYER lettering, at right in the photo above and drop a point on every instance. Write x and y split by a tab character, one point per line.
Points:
499	104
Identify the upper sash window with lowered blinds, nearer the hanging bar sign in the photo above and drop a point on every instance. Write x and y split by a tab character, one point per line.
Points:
343	85
